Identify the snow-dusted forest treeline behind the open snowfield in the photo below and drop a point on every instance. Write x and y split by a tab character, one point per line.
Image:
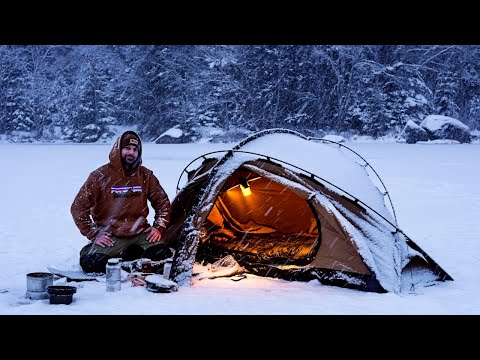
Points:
77	93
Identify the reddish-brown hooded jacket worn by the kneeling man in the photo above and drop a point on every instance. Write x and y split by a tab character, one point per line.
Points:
115	202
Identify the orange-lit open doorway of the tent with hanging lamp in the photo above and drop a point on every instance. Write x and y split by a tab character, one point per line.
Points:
272	225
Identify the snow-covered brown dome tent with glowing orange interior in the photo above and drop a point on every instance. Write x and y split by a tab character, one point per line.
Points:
302	220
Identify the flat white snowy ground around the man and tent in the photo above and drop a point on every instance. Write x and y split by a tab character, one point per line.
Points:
434	187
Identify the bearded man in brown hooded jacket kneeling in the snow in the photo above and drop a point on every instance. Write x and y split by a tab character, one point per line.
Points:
111	209
